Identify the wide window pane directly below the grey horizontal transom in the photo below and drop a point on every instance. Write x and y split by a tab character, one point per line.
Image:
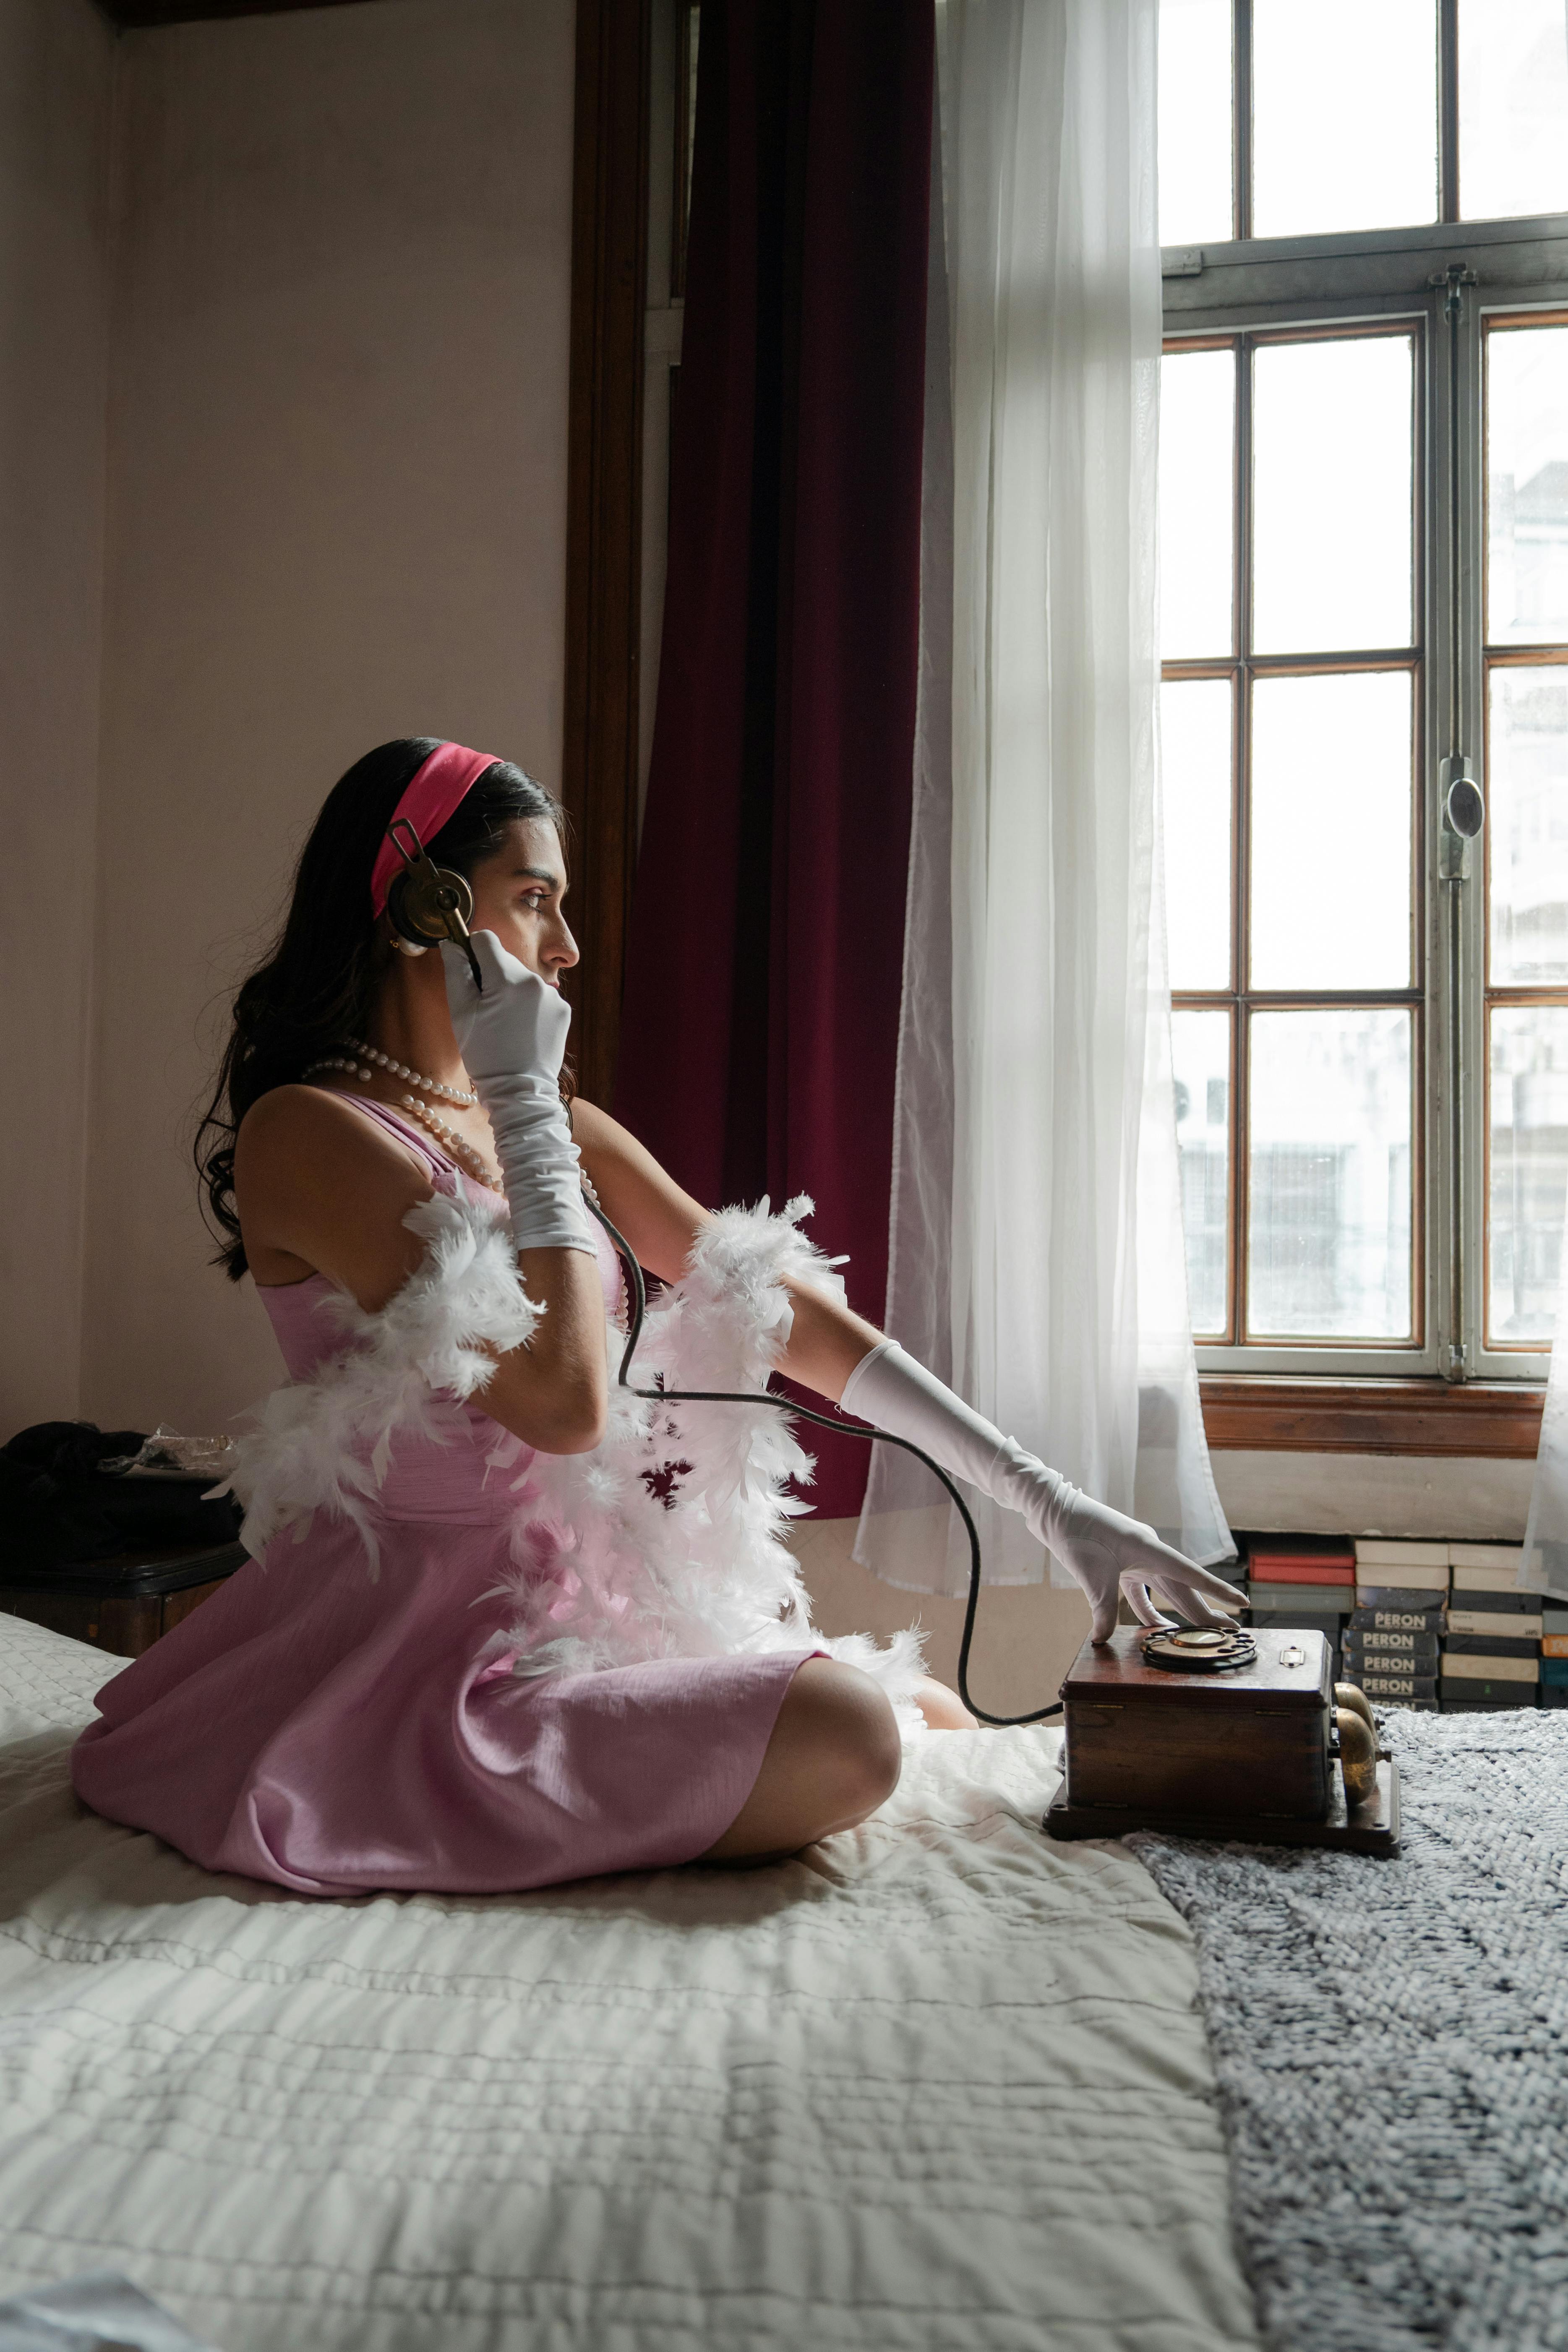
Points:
1332	495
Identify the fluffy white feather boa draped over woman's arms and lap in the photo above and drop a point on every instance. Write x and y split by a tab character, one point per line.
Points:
659	1544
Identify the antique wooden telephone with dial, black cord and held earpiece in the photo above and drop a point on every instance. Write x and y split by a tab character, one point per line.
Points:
1207	1735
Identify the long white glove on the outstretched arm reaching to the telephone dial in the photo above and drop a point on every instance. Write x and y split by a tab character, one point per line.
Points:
1101	1549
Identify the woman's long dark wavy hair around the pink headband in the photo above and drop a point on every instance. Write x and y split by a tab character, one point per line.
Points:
321	977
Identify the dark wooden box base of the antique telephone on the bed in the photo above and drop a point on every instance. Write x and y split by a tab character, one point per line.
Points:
1247	1751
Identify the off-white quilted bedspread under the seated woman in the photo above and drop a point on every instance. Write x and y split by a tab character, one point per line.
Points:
932	2085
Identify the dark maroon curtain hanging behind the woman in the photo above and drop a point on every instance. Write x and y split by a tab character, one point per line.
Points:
765	961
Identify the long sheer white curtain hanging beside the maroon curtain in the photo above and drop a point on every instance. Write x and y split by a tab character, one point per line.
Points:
1038	1255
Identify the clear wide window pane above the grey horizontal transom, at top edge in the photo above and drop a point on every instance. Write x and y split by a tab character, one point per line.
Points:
1343	116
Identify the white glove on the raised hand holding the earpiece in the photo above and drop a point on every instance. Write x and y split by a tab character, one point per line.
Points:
514	1041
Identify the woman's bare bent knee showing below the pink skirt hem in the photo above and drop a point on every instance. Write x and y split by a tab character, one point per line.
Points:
833	1760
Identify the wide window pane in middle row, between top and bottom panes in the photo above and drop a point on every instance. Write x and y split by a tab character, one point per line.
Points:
1332	831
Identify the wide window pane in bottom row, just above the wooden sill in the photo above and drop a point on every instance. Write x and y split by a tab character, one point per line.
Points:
1329	1175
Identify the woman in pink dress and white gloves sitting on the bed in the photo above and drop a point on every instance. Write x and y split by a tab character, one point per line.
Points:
509	1624
